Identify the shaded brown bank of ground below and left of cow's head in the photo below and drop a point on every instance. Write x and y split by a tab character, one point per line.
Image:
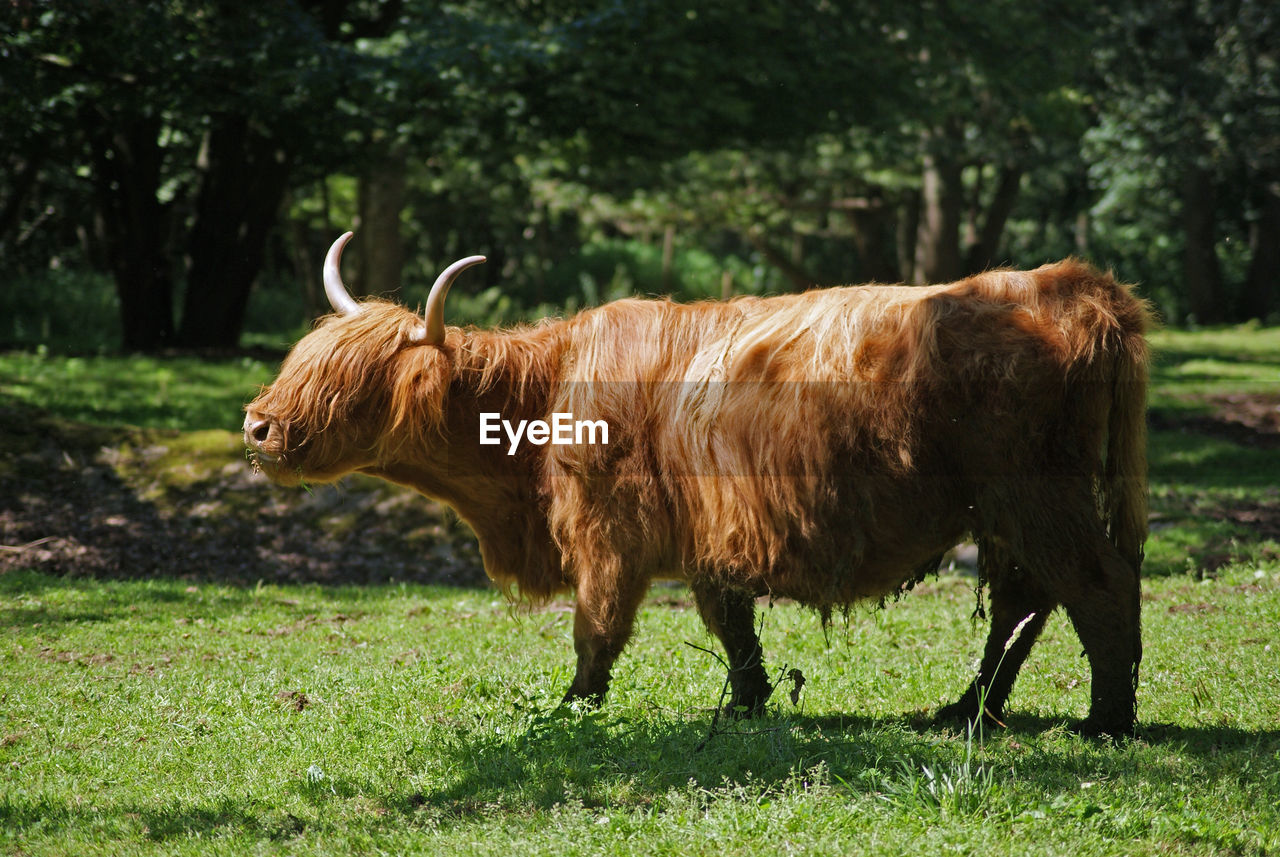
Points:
130	503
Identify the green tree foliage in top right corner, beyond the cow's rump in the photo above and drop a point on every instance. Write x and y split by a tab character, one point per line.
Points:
1195	90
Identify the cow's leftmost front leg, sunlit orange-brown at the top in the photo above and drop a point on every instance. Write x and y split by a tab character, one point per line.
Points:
602	626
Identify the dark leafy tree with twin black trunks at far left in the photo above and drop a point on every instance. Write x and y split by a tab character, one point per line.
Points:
193	118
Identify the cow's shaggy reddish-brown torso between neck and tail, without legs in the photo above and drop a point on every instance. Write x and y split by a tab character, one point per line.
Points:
822	446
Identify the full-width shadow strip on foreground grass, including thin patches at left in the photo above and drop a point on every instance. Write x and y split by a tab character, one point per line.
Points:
606	760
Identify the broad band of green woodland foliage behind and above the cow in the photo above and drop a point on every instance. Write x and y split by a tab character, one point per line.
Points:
534	131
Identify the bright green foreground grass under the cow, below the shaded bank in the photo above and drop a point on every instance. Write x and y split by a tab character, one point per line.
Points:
164	718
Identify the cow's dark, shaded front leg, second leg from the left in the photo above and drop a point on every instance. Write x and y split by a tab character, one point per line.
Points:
730	615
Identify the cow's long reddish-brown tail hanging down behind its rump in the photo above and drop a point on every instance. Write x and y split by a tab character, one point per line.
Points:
1126	469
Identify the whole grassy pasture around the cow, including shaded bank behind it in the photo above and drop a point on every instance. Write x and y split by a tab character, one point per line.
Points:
196	662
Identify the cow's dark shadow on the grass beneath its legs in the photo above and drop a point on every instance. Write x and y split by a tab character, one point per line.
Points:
589	760
